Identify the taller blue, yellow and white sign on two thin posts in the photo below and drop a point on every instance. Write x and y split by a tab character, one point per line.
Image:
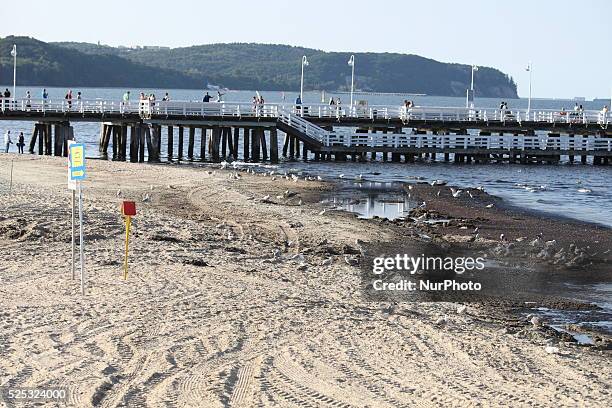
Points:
76	173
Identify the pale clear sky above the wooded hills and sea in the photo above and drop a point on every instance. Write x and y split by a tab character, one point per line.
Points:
568	42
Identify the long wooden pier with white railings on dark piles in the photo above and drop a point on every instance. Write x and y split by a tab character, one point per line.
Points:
188	131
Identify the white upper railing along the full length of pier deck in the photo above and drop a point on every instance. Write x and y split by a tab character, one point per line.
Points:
149	109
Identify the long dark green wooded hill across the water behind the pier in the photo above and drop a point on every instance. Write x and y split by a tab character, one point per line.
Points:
243	66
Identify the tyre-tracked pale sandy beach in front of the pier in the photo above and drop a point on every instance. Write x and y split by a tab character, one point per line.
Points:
242	292
